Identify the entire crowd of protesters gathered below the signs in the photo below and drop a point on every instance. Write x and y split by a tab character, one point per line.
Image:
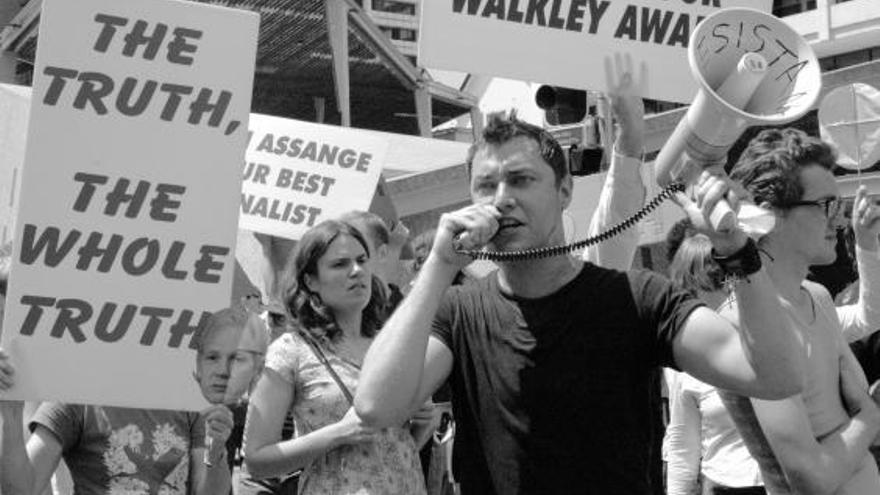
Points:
552	364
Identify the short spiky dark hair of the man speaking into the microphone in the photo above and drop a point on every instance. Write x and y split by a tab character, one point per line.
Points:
502	128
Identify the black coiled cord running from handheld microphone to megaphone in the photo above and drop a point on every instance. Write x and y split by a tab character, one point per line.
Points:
546	252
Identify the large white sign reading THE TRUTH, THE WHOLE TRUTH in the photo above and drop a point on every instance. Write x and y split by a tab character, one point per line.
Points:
129	198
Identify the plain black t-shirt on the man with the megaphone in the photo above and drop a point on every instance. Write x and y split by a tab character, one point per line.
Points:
553	395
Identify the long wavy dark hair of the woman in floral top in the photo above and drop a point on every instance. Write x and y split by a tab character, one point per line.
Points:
308	309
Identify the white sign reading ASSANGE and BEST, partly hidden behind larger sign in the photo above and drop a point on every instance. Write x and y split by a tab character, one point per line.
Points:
297	174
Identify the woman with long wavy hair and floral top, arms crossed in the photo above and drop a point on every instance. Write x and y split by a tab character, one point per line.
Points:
313	371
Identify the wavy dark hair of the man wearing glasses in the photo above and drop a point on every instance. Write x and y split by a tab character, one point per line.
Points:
770	166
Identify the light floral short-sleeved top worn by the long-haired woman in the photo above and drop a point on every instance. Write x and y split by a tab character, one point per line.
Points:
388	466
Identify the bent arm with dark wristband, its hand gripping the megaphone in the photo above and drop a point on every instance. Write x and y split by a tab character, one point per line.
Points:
763	357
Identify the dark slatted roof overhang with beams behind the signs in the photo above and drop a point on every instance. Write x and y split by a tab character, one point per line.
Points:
294	74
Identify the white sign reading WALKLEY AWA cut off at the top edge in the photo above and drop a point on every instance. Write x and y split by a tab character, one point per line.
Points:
565	42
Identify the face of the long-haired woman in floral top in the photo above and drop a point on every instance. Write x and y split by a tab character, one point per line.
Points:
343	278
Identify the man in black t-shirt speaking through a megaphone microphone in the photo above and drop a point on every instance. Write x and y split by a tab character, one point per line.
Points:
551	359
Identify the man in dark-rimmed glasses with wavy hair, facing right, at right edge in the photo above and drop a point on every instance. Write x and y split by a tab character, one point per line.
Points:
817	441
